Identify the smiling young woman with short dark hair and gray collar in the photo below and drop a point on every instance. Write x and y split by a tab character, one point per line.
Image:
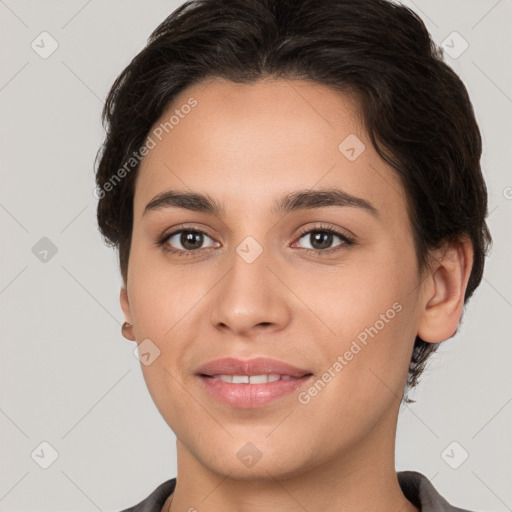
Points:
295	192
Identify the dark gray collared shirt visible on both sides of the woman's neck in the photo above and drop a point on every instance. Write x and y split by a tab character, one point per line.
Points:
415	486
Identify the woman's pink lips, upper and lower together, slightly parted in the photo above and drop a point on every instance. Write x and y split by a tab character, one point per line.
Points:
251	396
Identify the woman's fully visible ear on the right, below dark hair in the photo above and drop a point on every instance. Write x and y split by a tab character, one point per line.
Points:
444	289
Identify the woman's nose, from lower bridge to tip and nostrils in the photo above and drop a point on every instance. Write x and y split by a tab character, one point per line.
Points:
251	297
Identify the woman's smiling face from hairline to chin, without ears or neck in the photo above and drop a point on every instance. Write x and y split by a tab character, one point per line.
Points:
330	287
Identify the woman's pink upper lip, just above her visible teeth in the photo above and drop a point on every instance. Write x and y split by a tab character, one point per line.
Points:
256	366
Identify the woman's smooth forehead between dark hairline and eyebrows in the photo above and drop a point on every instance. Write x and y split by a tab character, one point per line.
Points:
244	142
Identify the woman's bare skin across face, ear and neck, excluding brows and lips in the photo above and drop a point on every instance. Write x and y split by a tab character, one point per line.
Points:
246	145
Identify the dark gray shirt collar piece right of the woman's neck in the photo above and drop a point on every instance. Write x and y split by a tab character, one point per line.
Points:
419	490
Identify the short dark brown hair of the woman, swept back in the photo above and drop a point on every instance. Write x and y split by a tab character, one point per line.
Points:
415	108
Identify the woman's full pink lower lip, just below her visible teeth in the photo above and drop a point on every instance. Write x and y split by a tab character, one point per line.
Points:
251	396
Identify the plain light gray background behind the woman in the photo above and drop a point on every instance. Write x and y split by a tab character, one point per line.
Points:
68	377
